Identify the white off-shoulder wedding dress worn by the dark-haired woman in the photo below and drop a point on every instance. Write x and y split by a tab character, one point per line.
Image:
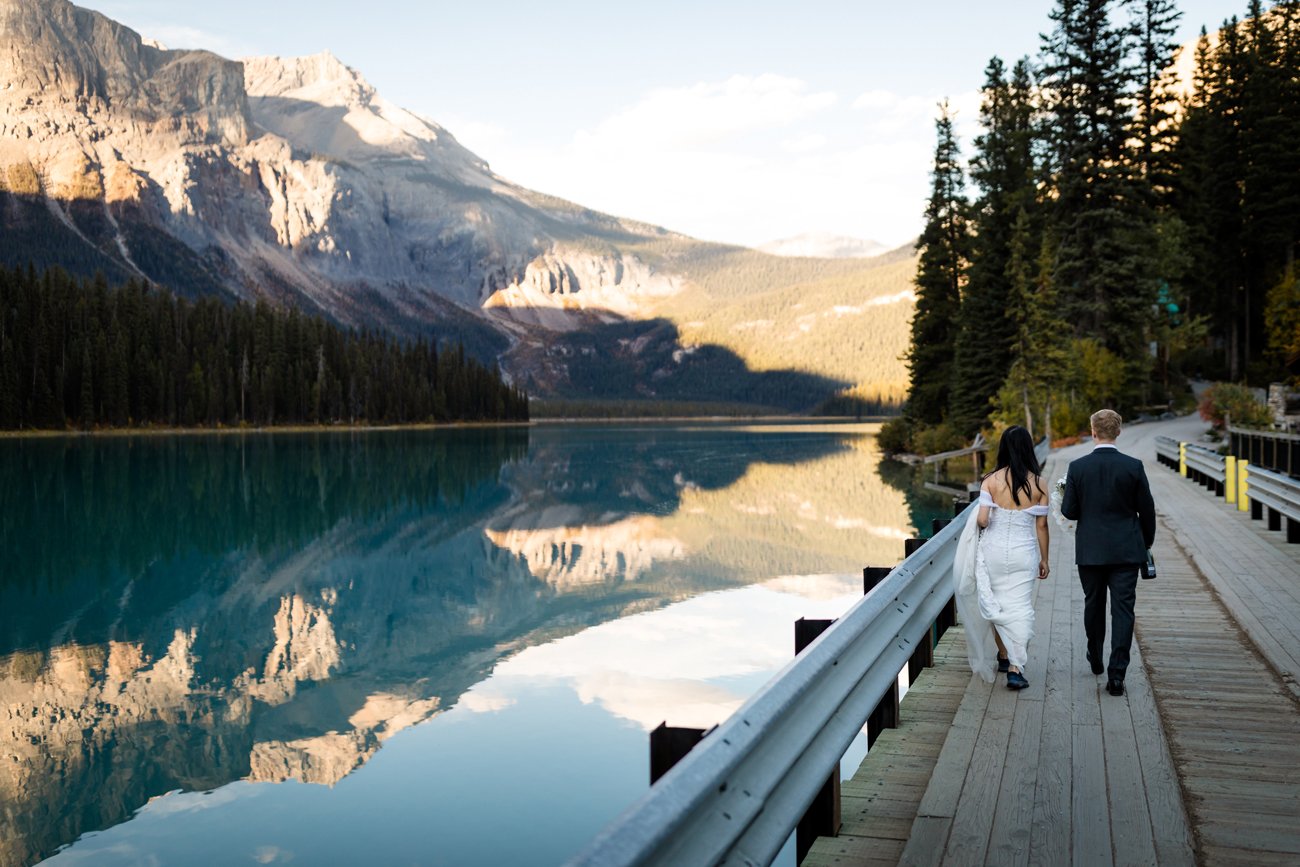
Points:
994	576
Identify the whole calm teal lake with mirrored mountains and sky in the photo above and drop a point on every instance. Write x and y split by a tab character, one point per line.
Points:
401	648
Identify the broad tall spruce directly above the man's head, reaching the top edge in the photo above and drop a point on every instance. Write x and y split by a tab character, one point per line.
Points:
1103	216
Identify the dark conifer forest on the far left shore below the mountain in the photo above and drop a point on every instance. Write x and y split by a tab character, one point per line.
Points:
77	354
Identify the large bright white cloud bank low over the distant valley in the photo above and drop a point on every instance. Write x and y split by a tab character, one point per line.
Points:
748	159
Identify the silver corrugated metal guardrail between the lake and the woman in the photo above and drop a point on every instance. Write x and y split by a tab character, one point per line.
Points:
736	797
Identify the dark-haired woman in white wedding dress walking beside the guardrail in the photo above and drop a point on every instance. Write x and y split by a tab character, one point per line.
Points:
1000	556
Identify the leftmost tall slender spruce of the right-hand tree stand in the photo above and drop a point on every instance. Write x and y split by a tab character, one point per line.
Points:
944	249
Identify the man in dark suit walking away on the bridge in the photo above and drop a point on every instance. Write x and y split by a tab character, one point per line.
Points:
1107	493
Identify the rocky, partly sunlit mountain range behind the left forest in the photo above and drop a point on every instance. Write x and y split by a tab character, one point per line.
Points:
294	179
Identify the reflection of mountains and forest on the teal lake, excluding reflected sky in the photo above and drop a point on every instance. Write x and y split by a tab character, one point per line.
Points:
181	613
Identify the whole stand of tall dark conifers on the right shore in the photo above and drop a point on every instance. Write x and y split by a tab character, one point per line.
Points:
1124	229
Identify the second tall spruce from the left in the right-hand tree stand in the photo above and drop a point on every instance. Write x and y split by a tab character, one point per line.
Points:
1004	171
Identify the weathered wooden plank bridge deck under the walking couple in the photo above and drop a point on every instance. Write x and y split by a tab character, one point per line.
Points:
1197	765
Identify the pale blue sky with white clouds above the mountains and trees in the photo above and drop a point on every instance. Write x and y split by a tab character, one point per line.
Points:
735	122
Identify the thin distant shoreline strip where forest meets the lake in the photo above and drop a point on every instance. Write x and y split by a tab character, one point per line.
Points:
450	426
